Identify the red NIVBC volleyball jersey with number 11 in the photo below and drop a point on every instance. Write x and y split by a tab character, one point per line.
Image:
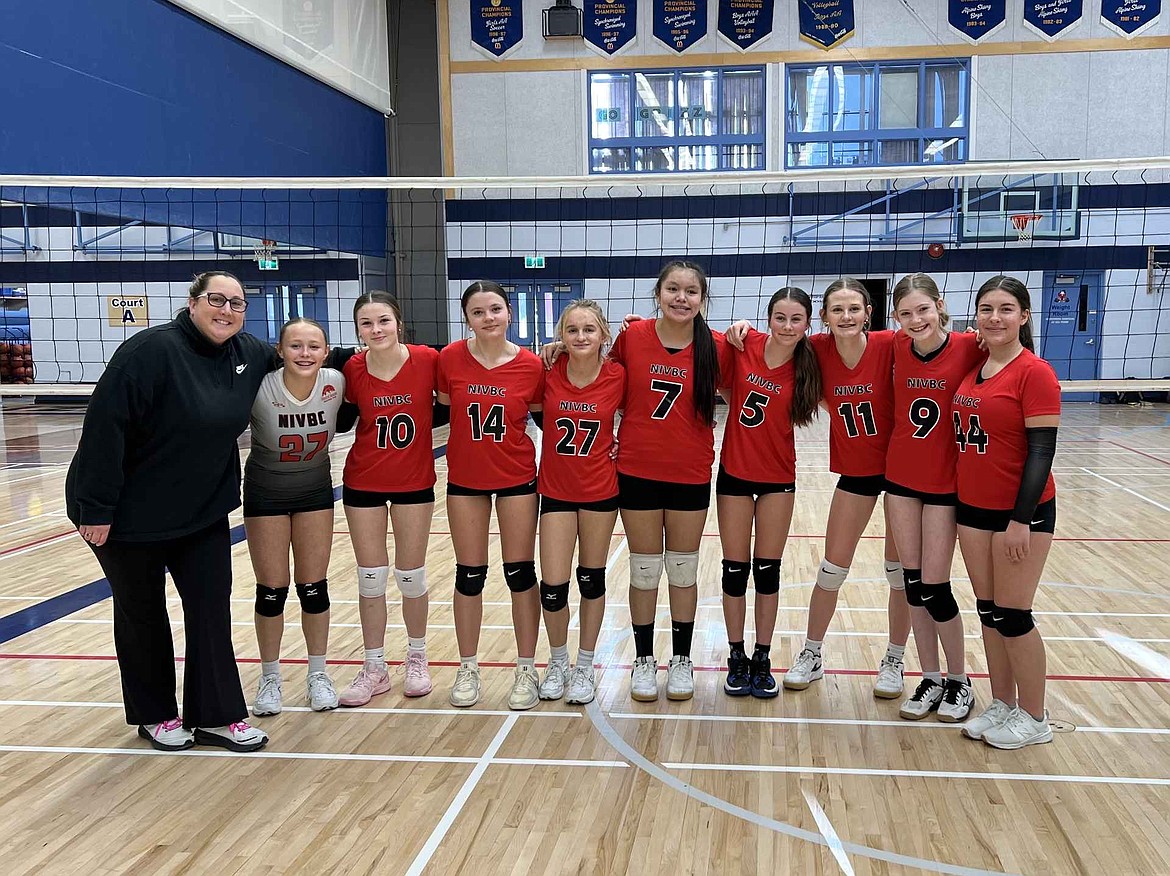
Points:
861	403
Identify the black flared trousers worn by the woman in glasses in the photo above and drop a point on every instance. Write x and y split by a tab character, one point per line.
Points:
201	564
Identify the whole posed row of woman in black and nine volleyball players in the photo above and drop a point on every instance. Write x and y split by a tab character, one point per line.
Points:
955	431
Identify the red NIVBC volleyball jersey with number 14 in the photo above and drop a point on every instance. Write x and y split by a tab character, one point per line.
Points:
488	449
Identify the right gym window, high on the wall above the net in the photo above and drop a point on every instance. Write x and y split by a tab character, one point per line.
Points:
879	114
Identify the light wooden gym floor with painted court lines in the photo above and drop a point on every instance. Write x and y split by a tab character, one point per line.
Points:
828	781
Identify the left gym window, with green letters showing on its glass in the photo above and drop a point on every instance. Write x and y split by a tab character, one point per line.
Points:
677	121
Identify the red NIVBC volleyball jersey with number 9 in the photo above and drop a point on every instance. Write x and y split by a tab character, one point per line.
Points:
923	453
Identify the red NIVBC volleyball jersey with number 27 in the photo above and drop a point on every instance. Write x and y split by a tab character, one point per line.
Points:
579	434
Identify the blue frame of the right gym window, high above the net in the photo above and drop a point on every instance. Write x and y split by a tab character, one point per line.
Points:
873	136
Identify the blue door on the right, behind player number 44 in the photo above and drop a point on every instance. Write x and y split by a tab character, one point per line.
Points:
1071	327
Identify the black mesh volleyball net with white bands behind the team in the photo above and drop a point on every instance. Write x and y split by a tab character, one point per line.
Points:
87	263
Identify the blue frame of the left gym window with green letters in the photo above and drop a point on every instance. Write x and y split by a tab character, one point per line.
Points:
719	141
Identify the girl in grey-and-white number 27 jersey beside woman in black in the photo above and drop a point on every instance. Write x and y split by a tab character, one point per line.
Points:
288	501
